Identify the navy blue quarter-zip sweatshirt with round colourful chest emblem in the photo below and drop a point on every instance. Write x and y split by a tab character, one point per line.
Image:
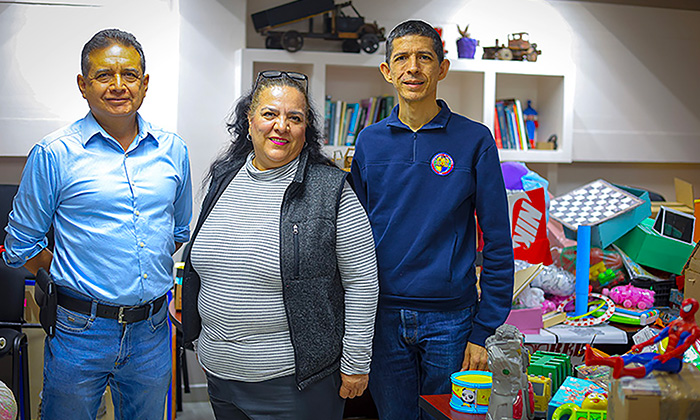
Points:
421	190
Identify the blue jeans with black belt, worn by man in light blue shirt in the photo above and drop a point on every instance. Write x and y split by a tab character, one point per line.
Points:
88	352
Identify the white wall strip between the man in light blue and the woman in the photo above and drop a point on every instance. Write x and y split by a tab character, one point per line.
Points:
210	32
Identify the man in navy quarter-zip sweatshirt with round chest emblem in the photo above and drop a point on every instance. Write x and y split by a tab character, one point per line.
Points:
421	174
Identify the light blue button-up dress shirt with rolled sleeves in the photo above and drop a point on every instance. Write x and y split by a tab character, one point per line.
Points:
116	214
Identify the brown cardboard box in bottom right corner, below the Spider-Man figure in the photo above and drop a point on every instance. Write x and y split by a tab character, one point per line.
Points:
661	395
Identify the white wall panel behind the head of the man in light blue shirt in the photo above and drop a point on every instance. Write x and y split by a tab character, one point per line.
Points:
40	47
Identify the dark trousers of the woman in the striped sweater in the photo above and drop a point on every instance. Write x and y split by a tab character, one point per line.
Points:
276	399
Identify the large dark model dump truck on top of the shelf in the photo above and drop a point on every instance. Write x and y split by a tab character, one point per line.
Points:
355	33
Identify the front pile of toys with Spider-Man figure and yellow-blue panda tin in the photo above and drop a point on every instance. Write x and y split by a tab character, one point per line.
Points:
542	385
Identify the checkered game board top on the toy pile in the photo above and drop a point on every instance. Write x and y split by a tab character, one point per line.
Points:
592	204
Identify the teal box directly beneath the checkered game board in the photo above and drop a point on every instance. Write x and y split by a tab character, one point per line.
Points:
605	233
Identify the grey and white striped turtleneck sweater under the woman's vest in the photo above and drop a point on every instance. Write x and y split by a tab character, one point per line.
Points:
245	334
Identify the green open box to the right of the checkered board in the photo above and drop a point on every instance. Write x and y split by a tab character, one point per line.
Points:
647	247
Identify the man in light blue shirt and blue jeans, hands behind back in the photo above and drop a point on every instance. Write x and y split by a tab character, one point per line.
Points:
118	193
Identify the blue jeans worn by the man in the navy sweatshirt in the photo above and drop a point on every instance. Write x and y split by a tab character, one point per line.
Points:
414	354
